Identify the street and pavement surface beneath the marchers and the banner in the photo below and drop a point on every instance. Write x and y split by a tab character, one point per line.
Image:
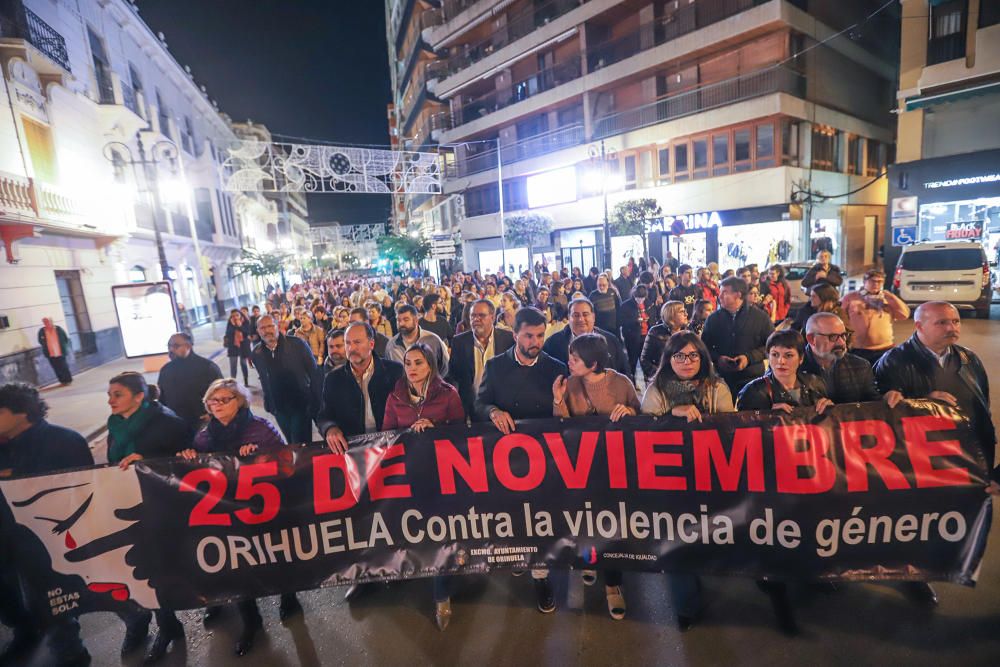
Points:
495	621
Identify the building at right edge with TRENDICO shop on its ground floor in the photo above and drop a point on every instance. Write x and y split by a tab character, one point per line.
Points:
946	184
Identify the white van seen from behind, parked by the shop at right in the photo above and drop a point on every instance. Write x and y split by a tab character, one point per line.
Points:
953	271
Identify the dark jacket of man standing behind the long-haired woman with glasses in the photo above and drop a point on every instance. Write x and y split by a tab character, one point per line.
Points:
744	333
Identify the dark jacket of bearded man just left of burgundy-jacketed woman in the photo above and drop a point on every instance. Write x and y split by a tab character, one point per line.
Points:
343	403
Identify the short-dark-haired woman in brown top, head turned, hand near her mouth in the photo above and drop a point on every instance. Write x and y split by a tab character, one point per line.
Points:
595	389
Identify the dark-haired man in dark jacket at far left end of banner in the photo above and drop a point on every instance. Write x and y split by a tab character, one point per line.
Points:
32	446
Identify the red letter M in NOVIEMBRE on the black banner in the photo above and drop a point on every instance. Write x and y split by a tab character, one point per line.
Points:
709	454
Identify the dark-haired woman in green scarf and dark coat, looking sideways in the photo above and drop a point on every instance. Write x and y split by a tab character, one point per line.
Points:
142	428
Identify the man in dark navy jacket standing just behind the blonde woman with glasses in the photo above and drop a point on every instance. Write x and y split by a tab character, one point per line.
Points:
288	378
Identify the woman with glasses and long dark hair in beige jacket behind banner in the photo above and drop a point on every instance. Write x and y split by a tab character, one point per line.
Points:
686	386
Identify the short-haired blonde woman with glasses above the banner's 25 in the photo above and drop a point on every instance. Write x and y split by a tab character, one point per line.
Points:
236	431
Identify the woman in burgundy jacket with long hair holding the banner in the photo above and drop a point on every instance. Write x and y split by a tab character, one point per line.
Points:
422	400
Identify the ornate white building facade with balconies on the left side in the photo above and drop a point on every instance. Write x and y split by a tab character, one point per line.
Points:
109	155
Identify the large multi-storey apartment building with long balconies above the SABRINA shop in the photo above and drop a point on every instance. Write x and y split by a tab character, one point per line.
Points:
764	136
